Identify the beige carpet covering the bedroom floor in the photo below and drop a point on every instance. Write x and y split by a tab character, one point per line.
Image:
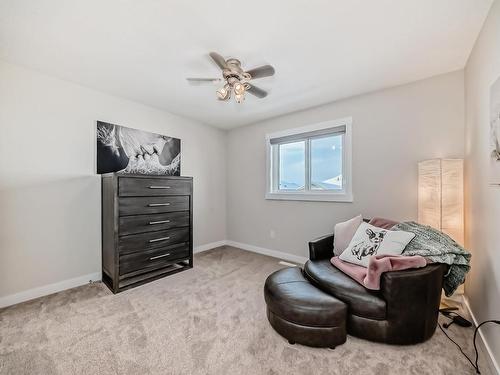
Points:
208	320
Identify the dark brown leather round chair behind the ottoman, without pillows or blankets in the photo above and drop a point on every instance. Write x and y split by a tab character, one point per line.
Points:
404	310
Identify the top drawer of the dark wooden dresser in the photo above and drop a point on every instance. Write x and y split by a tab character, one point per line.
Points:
129	186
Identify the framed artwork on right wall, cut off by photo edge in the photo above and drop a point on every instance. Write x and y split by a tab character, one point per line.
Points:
495	133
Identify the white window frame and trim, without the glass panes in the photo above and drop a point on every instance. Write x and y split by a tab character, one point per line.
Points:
272	166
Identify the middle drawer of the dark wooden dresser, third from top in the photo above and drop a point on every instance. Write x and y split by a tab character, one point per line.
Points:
152	223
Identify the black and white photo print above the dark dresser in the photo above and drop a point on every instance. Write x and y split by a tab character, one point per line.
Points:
126	150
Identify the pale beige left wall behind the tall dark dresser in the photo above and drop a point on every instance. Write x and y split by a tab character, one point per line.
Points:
49	194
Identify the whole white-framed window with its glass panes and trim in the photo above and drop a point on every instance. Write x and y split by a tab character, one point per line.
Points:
310	163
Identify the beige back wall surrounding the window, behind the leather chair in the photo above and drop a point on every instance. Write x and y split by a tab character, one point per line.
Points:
392	130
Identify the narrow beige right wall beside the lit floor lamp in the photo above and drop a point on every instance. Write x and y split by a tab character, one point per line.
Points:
483	201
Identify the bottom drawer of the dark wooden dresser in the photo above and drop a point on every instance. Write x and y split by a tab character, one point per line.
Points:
152	259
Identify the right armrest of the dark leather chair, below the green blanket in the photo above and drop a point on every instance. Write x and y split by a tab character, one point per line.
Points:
413	298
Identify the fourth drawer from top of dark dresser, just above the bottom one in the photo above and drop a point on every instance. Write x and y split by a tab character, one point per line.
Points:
144	241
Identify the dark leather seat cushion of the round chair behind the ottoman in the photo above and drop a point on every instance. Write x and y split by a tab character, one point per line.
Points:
361	301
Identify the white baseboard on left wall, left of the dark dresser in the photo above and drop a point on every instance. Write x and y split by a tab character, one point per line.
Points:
48	289
